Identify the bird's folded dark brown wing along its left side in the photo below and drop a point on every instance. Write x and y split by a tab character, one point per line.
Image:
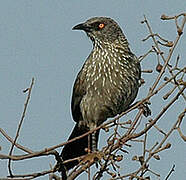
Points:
77	95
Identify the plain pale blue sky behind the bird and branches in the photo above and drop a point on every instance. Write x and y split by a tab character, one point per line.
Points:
36	40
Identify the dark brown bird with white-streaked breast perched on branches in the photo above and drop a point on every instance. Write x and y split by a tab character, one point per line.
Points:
106	85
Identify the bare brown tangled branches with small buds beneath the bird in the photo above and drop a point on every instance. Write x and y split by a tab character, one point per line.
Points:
124	132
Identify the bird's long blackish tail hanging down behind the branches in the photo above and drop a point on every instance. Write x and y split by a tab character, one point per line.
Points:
77	148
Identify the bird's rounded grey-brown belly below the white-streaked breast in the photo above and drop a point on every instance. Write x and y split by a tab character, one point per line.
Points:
105	99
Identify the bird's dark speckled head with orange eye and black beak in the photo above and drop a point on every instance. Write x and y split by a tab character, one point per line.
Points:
102	29
